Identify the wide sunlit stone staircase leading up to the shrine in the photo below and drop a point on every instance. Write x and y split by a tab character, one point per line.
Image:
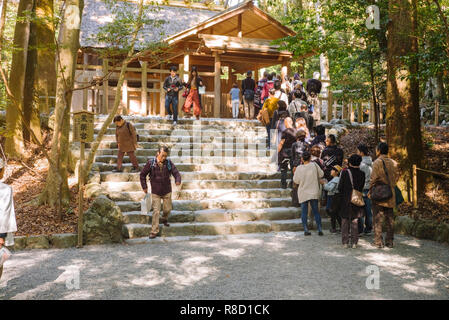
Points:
229	183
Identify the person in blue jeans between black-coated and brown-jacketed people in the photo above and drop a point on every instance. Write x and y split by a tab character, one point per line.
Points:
366	223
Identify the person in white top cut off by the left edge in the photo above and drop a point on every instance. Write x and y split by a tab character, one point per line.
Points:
7	214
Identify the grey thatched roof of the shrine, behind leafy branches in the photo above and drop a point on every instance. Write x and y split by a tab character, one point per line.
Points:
97	14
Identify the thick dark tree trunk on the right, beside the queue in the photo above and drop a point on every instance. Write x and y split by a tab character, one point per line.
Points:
403	117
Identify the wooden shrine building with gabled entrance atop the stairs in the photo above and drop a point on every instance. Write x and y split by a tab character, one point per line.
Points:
219	42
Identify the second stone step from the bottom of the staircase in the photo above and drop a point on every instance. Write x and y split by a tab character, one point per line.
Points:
217	215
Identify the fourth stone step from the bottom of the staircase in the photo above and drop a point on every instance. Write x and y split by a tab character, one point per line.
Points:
199	185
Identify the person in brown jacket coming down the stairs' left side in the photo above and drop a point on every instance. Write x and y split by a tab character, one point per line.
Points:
126	137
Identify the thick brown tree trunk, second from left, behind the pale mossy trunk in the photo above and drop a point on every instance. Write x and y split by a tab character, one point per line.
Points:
45	80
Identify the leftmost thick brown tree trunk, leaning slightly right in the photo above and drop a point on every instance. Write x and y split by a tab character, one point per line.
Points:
14	145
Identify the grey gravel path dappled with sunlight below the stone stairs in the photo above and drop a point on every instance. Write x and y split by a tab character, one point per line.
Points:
258	266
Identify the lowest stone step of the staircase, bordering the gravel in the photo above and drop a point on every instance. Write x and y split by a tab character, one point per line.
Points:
132	231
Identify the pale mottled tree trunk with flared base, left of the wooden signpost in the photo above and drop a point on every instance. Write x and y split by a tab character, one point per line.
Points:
57	184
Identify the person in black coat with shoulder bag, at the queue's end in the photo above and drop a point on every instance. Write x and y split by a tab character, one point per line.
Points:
349	212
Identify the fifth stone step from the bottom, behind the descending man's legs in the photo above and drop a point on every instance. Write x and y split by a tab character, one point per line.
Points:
211	175
